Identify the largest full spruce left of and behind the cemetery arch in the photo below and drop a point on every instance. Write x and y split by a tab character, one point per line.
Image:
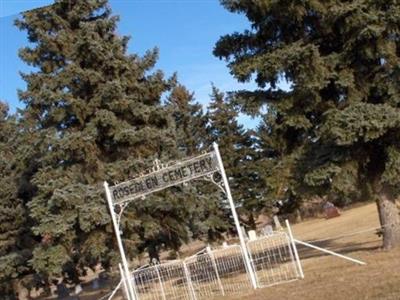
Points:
99	116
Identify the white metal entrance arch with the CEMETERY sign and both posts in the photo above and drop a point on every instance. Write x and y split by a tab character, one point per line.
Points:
161	178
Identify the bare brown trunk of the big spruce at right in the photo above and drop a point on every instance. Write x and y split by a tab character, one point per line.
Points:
389	217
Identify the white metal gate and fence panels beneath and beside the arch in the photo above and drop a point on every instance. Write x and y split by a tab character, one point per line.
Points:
219	272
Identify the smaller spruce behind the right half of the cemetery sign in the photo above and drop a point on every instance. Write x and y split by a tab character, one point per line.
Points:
207	219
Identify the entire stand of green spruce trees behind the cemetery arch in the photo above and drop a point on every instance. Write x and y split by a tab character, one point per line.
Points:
93	112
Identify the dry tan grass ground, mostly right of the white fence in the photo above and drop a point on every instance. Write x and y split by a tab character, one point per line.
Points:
328	277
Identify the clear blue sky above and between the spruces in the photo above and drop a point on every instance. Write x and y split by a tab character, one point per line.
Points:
185	31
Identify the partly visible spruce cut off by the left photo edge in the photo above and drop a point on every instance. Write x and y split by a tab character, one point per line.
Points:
16	241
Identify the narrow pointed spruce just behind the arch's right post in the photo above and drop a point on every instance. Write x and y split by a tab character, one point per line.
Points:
238	155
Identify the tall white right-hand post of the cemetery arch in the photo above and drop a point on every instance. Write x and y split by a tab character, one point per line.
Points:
246	255
